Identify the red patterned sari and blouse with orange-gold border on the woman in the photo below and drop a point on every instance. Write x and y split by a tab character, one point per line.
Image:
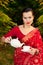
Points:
32	39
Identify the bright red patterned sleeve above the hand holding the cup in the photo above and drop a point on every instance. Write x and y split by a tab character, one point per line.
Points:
38	41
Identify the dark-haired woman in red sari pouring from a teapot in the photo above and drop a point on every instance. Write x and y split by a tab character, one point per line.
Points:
30	36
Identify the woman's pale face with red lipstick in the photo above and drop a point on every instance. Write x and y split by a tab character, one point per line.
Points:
28	18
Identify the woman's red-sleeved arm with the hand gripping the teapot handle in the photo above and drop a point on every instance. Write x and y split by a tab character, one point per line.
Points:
7	37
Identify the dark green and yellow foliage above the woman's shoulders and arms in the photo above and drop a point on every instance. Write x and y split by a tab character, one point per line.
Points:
10	13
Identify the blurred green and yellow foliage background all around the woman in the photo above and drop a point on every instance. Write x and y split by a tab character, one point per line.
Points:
10	16
